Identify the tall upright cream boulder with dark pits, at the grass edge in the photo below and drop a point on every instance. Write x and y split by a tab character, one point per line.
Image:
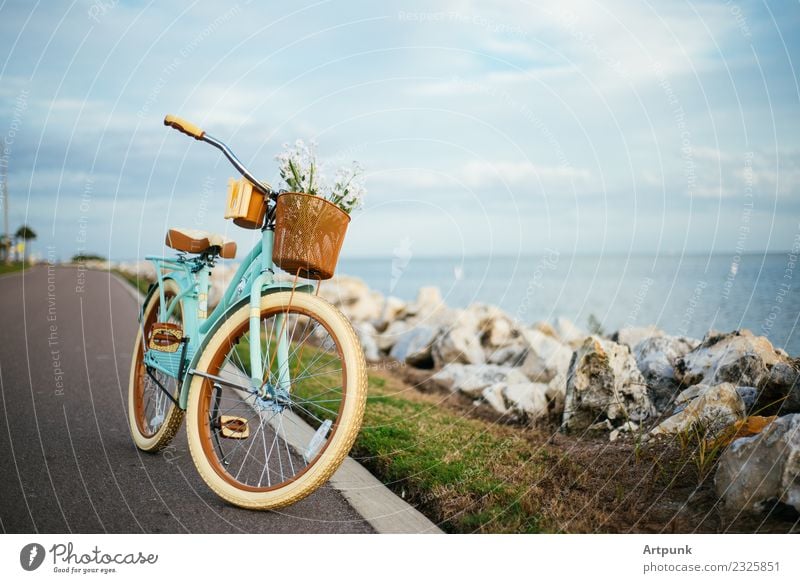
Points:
604	383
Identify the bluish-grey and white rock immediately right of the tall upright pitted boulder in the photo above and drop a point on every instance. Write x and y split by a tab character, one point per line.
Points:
656	357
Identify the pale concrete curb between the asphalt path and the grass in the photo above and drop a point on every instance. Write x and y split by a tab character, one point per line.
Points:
386	512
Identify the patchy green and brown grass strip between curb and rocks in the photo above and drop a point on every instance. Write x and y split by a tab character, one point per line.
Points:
472	471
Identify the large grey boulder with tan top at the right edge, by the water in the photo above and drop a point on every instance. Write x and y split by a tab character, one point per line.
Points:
746	360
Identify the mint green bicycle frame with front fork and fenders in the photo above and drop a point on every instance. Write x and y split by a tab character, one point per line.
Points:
254	278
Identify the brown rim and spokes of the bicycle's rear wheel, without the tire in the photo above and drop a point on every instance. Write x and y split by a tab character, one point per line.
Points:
151	405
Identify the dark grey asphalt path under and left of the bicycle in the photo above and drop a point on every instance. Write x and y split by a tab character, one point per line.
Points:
68	463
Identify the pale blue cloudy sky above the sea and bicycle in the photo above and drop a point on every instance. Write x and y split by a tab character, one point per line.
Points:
505	127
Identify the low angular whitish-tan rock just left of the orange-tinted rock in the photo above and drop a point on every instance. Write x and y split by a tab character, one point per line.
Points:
711	411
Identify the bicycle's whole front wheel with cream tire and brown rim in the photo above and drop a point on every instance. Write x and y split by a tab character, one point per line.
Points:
270	445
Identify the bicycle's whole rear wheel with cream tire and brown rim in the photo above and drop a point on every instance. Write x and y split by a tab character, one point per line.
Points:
153	418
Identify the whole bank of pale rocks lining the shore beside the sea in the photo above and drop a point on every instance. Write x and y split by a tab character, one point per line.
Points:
733	391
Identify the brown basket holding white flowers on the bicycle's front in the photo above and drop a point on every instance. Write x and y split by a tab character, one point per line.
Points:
309	232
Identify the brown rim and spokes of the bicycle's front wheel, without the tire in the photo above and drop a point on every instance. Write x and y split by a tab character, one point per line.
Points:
261	443
